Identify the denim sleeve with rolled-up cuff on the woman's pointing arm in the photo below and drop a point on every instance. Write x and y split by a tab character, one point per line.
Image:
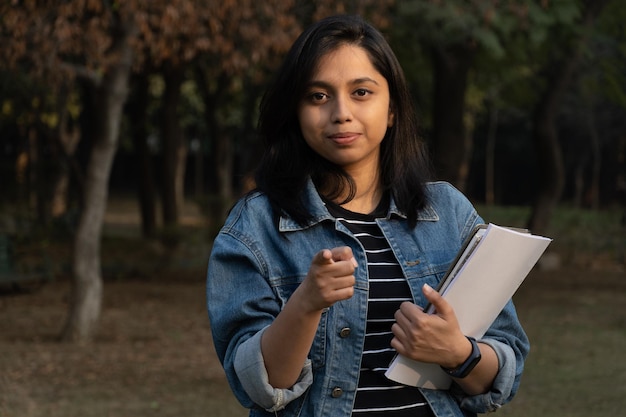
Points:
241	304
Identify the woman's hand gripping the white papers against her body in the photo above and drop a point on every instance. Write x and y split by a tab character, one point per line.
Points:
434	338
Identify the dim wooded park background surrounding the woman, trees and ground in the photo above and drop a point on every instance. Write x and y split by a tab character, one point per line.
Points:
127	131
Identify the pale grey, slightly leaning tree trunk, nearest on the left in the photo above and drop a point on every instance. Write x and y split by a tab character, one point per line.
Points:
86	296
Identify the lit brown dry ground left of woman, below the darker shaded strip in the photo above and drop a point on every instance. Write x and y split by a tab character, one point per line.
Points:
153	355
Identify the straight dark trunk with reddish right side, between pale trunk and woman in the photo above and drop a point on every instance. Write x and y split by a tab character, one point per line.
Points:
174	151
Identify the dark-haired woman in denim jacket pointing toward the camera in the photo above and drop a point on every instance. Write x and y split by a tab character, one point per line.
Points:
319	276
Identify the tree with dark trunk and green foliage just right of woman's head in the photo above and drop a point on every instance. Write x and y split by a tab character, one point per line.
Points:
453	35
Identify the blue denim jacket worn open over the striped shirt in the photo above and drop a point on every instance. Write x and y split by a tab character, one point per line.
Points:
257	262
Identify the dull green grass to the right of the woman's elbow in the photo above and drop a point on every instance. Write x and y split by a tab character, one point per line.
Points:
576	322
